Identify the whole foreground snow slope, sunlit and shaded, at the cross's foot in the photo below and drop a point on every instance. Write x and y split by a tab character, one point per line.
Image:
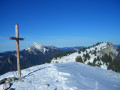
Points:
66	76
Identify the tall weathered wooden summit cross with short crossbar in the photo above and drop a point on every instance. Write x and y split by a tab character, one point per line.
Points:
17	49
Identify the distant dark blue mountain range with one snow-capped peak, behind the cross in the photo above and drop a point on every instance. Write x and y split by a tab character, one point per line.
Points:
34	55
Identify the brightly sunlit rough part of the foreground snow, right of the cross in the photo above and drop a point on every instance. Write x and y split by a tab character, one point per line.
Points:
45	77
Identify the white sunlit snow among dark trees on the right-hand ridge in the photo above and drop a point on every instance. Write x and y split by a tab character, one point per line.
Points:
99	52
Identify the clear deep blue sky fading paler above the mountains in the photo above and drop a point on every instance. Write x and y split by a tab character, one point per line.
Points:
59	22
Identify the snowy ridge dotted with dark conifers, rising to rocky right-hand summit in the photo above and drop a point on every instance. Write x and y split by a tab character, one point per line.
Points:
92	55
